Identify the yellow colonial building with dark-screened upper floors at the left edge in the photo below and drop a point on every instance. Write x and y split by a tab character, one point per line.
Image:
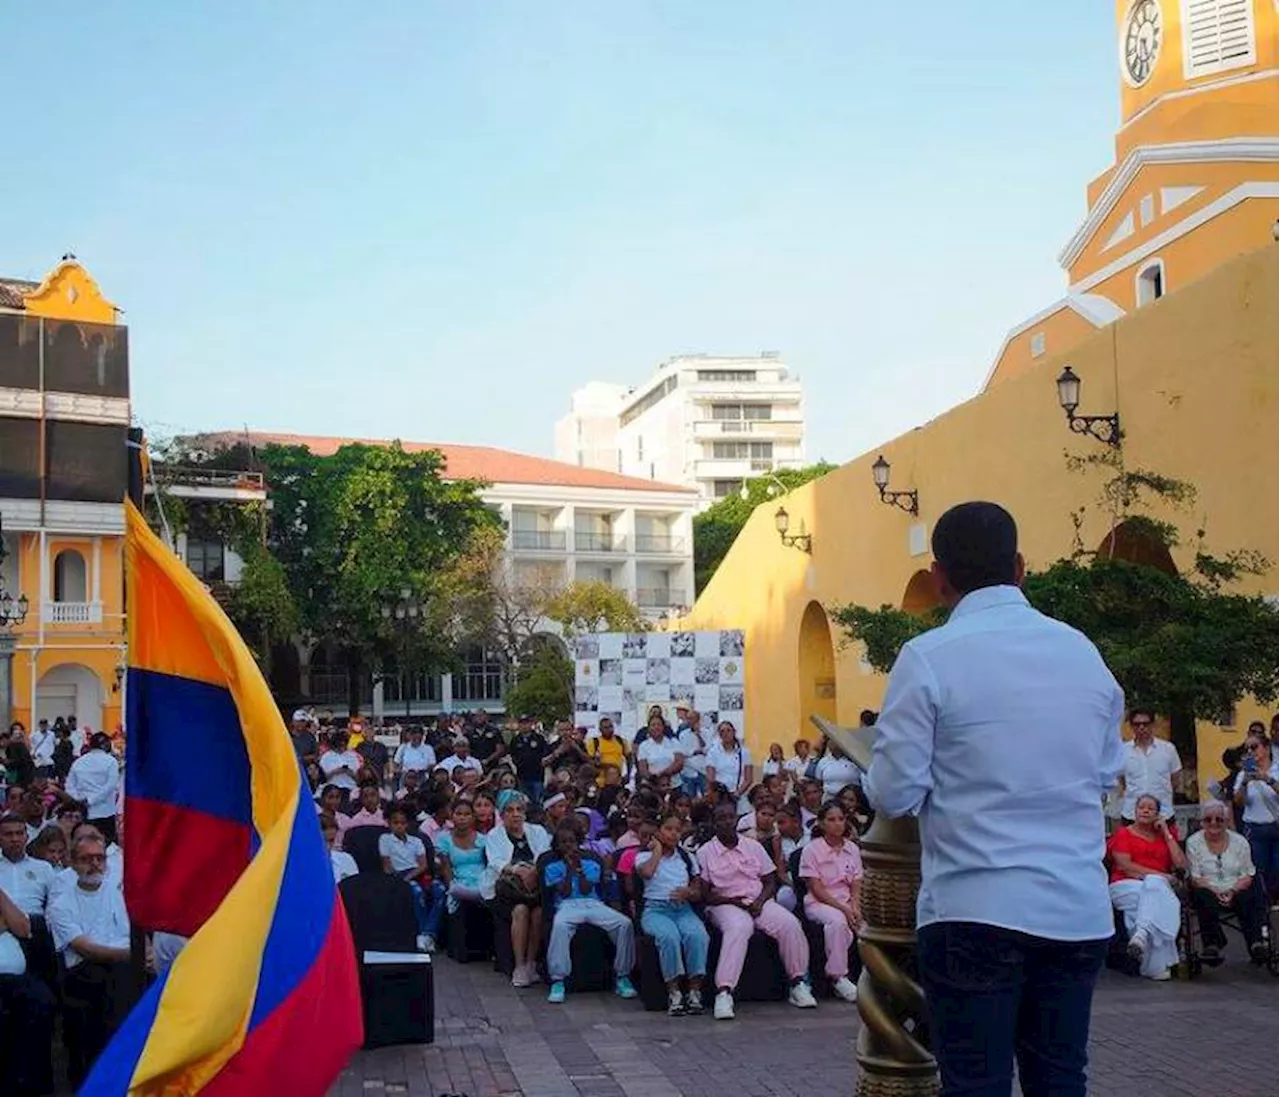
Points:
65	418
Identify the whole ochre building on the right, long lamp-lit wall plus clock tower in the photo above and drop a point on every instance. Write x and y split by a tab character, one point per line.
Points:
1172	319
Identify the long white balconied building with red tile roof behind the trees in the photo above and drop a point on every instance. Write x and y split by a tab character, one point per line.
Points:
565	524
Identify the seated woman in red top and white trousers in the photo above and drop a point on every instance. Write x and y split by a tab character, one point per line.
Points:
1144	860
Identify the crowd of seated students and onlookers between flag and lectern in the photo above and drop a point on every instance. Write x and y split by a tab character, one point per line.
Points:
674	837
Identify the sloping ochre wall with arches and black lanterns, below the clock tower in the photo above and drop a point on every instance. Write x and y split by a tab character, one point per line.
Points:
1196	378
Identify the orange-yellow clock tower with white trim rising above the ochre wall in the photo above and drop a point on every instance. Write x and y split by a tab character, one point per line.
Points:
1197	172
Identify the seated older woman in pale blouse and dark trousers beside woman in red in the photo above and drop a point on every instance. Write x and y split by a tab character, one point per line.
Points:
1224	880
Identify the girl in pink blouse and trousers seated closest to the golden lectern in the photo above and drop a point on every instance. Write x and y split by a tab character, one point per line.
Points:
833	871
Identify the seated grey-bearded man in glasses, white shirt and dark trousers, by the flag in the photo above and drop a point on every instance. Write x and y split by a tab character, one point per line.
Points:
92	930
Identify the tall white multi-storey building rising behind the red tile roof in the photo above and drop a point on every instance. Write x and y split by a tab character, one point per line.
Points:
706	422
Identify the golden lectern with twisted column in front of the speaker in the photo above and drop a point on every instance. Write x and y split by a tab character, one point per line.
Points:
894	1045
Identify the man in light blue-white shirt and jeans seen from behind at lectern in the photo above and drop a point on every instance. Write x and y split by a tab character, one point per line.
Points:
1002	733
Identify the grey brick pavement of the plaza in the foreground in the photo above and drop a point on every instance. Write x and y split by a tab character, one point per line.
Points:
1150	1040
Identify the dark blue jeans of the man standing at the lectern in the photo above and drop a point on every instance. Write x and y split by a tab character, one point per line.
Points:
996	994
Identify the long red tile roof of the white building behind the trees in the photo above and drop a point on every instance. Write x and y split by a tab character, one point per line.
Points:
464	463
